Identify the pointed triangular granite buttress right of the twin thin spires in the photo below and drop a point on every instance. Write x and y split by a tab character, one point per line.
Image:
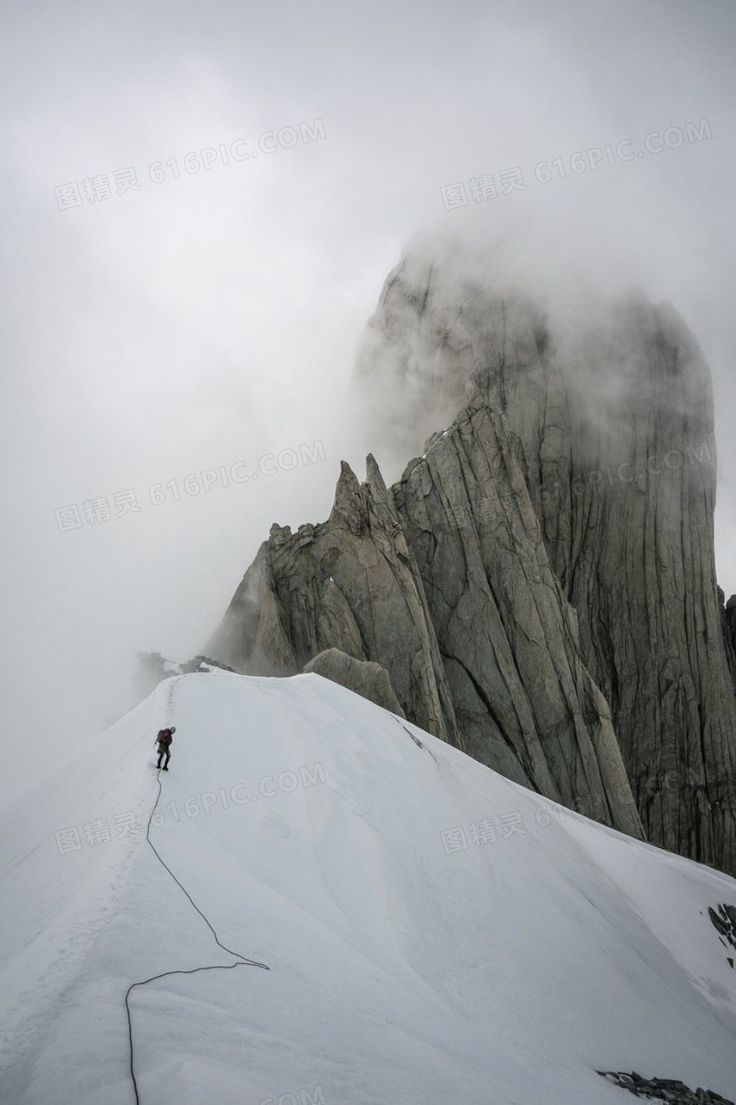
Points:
524	701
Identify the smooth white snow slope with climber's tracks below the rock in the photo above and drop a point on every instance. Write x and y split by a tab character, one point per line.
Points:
405	969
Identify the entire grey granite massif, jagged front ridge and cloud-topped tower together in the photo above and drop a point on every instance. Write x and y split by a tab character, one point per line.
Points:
540	584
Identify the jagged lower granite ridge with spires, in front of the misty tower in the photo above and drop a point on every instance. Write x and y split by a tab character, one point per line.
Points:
462	609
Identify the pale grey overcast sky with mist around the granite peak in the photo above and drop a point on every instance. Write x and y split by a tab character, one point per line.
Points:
163	319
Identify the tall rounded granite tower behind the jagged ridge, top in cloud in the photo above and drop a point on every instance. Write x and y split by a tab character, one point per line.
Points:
609	411
